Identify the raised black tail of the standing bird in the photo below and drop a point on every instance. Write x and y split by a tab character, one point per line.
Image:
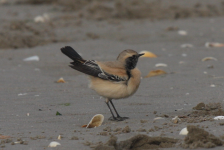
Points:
71	53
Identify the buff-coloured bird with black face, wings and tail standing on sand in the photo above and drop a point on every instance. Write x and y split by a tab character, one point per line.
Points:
110	79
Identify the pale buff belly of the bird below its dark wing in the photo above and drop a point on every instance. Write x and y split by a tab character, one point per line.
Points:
112	90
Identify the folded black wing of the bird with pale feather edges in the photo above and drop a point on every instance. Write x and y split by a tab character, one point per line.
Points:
91	67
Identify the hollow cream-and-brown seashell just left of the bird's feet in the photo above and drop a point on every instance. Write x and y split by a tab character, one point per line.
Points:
96	121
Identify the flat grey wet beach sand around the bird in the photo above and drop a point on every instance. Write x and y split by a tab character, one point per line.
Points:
31	88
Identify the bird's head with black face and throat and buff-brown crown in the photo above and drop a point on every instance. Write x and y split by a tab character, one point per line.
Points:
129	58
